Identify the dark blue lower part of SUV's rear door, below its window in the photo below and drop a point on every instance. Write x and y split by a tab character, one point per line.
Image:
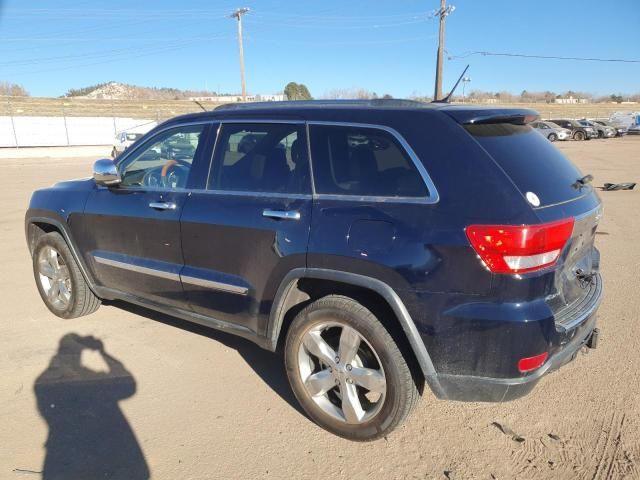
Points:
235	257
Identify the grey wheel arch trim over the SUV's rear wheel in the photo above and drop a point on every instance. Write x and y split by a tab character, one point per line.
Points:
291	298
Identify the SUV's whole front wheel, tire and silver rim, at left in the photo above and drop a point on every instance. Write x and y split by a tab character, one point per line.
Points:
59	280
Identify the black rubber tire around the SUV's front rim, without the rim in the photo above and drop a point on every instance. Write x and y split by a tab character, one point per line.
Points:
82	300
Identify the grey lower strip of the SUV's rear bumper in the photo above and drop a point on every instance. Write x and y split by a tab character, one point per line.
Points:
482	389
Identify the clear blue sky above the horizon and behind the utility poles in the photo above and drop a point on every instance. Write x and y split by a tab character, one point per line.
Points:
383	46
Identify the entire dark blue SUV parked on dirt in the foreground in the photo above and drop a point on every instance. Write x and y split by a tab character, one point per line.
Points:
381	245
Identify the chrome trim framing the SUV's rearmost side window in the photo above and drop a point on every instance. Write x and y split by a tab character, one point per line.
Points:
431	198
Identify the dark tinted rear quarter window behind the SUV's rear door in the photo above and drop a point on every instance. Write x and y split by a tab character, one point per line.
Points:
362	162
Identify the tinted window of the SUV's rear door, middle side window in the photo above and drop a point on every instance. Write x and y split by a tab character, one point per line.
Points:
261	157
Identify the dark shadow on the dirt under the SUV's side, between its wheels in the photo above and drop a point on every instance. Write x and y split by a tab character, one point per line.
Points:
269	366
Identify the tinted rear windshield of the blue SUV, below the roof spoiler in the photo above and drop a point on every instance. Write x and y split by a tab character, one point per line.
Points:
531	161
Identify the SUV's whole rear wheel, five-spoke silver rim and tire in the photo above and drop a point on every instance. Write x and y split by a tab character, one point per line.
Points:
346	370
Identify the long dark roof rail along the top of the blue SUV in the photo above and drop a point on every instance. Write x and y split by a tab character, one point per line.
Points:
372	103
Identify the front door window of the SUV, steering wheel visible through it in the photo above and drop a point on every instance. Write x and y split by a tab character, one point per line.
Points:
164	161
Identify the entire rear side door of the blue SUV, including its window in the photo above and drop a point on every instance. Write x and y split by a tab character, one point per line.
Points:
237	245
